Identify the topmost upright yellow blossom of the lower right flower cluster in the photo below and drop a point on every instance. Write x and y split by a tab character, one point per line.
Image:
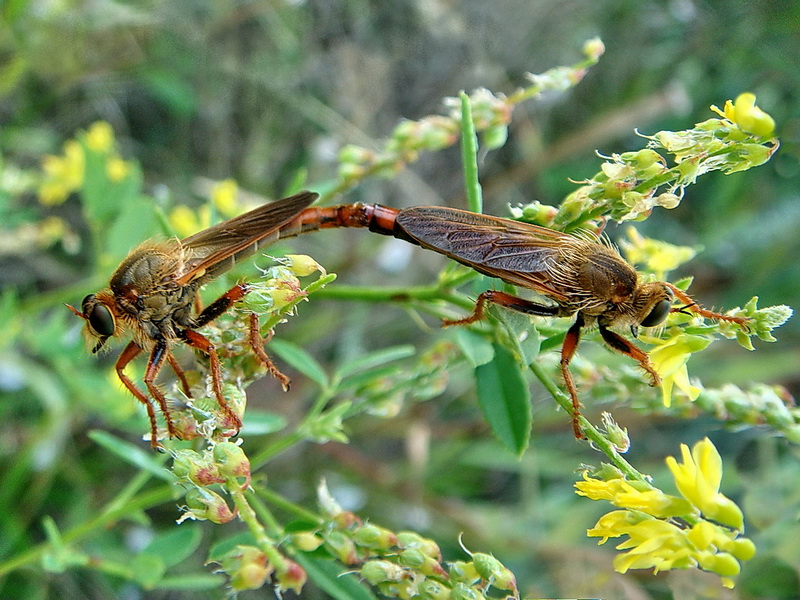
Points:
698	479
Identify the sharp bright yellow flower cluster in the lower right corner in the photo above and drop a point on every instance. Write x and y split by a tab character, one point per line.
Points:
700	530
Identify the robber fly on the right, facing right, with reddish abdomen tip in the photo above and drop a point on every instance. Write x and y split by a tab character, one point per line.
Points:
583	276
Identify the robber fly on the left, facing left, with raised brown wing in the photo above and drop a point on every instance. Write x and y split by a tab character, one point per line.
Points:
153	294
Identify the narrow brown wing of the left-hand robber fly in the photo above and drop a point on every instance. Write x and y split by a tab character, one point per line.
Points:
215	250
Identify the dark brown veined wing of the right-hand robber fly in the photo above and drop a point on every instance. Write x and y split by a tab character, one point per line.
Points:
519	253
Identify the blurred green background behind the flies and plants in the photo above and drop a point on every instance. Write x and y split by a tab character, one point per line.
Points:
267	92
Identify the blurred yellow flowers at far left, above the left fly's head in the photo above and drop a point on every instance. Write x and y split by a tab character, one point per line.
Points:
65	174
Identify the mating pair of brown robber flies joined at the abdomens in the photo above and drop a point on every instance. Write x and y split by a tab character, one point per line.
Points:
152	295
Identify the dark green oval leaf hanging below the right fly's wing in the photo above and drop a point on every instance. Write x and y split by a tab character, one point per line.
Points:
505	399
